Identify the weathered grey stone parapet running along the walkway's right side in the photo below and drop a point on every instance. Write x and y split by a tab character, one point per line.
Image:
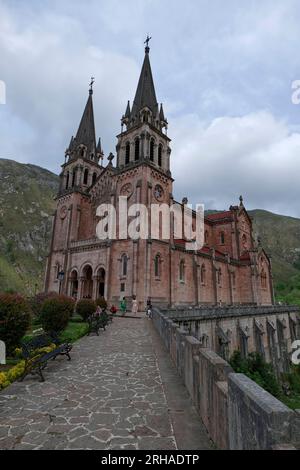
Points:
237	413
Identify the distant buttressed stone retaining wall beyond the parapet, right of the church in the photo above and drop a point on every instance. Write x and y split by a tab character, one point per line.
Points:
269	330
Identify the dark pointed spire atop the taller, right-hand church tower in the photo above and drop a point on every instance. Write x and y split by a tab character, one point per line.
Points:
145	93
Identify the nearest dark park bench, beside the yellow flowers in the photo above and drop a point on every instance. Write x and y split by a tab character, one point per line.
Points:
36	364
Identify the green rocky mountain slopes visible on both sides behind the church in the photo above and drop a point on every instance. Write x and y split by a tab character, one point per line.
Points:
26	208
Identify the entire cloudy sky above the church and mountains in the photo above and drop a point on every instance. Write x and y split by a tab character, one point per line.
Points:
224	74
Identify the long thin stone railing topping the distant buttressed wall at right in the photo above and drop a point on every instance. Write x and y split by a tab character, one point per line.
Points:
206	312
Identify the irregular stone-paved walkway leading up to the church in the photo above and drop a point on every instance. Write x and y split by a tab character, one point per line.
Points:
120	391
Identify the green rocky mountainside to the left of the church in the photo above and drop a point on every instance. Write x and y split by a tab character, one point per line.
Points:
26	206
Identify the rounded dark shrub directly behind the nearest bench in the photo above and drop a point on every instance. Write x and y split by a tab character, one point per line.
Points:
56	312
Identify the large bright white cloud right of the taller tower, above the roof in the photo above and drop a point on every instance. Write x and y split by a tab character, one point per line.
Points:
254	155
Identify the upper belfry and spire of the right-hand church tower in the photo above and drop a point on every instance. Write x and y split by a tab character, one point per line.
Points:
143	137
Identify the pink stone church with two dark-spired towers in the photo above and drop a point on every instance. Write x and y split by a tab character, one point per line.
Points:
231	268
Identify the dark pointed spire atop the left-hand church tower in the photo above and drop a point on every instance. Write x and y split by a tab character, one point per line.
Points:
86	134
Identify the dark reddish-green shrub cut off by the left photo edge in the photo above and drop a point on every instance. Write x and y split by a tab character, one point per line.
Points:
15	316
